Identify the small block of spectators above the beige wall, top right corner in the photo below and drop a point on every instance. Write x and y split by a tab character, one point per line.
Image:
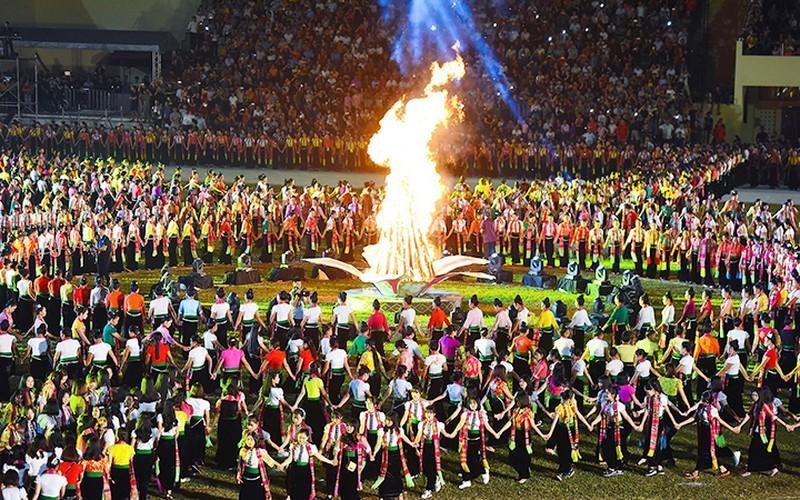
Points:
772	28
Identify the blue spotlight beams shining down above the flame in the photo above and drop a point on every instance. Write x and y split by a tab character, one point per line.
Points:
433	26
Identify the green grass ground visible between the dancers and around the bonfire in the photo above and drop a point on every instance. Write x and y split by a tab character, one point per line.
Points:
587	481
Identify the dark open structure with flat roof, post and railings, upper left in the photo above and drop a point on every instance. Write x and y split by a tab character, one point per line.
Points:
62	95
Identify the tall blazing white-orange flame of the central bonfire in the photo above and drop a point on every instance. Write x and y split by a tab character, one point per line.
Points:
413	187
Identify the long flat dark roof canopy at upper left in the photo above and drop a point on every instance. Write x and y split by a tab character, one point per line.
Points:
110	40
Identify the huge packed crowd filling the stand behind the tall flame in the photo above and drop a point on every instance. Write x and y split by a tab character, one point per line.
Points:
583	73
